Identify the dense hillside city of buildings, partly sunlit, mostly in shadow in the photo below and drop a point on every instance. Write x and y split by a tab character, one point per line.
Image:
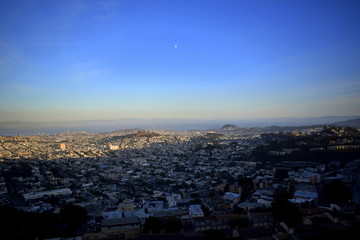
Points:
228	183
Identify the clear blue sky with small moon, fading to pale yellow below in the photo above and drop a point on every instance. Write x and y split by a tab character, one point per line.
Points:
99	59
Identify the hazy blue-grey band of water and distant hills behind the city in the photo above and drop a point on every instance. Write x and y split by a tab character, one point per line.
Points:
98	126
